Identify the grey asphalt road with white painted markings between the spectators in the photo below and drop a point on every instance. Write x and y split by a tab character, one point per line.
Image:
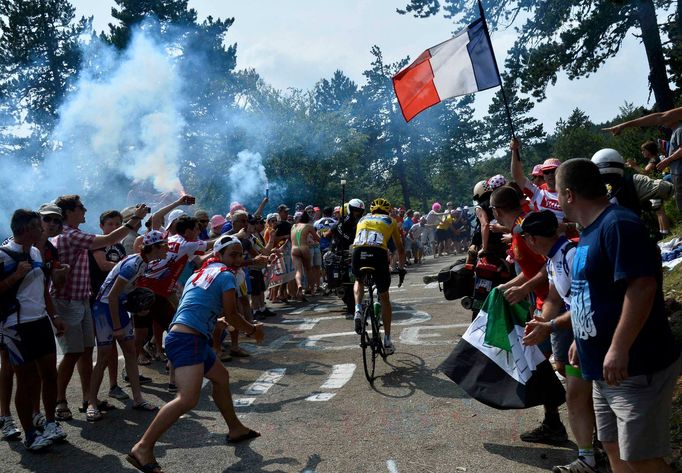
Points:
304	388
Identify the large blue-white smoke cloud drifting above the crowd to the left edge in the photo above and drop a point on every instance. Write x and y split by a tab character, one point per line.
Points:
120	124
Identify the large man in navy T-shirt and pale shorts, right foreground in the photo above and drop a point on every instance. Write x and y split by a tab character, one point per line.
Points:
623	338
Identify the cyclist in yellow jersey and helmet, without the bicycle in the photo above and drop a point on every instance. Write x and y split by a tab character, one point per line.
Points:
370	249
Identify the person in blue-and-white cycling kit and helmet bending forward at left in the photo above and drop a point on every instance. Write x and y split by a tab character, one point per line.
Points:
113	324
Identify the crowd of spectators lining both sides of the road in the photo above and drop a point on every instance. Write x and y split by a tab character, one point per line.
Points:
572	232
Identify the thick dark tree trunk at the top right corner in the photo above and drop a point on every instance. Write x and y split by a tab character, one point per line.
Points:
658	77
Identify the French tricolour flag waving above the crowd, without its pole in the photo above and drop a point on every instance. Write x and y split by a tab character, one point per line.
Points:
459	66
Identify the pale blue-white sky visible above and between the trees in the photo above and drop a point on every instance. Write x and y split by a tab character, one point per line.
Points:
296	43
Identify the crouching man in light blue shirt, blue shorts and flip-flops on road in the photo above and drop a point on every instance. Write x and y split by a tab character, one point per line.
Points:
208	299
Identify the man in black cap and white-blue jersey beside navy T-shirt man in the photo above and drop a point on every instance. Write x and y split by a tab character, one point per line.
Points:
539	231
